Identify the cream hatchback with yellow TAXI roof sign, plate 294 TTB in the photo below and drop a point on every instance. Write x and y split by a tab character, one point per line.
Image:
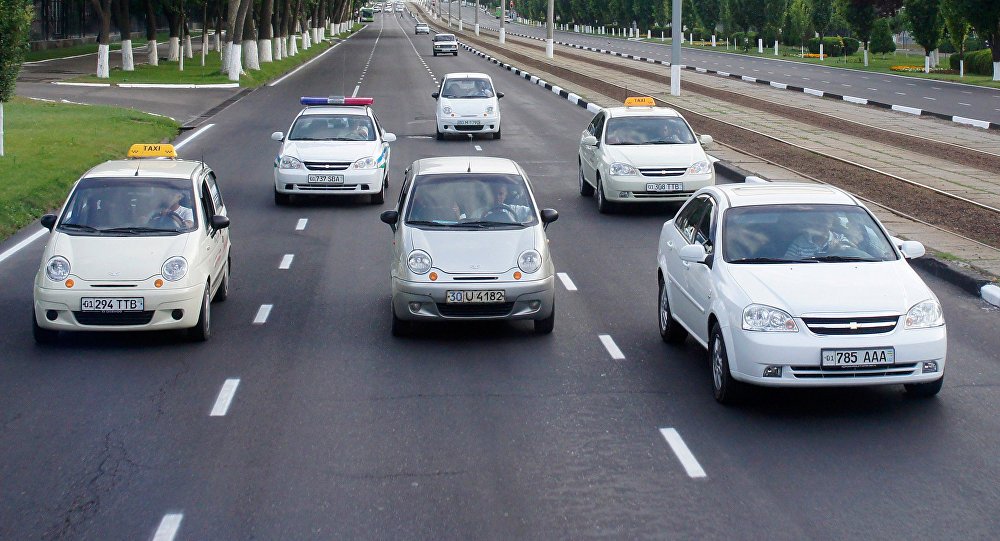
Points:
141	244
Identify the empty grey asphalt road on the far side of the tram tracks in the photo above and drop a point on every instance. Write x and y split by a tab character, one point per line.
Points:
943	97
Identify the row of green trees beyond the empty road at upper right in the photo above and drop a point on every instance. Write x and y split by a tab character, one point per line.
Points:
929	21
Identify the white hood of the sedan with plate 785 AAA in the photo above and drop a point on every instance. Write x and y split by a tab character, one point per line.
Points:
828	288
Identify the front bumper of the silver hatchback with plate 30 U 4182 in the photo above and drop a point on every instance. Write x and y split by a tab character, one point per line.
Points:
425	301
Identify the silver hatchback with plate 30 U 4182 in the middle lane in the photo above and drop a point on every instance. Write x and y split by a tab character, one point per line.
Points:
469	243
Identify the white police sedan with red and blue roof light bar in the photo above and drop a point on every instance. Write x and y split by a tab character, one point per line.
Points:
335	146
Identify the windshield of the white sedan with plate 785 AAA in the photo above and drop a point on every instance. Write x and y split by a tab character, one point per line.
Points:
803	234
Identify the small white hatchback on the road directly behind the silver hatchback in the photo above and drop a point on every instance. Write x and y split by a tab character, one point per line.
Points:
467	103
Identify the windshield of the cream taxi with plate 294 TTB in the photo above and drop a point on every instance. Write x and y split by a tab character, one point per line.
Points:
130	207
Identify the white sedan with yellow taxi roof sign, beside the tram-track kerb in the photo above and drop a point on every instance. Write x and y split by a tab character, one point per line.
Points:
640	152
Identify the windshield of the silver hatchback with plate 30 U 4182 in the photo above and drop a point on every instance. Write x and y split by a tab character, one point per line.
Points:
470	201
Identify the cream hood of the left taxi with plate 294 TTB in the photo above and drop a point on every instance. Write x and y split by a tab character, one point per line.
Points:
118	258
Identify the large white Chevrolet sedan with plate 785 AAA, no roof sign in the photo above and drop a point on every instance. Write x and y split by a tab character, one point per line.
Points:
797	285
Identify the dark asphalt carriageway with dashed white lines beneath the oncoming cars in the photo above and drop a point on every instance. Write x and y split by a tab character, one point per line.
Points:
337	430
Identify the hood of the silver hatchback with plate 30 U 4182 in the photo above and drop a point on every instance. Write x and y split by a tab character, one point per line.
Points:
465	252
